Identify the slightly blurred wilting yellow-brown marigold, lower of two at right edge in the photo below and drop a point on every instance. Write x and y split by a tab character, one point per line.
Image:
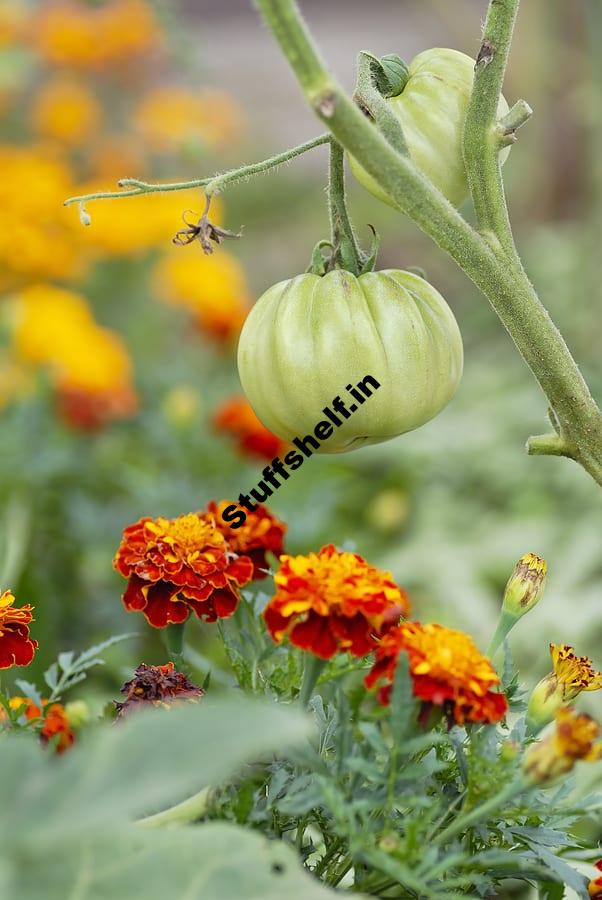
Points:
576	736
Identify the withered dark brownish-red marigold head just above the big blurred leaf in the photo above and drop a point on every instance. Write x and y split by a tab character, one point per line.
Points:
157	686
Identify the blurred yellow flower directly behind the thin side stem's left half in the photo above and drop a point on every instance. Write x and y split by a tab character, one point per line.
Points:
134	225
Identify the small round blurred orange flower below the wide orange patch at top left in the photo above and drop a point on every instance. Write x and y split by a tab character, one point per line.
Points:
65	110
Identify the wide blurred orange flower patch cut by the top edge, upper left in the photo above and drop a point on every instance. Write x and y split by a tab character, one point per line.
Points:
86	35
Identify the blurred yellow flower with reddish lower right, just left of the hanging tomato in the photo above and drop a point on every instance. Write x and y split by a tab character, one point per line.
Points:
213	288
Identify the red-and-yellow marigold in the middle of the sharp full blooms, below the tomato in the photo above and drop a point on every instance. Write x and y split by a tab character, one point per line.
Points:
333	601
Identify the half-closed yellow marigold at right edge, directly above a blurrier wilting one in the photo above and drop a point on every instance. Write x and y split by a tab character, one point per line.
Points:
571	675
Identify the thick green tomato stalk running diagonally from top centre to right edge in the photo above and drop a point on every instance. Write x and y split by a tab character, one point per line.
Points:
505	285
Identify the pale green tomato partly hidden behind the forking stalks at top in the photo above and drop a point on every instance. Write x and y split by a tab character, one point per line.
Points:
431	110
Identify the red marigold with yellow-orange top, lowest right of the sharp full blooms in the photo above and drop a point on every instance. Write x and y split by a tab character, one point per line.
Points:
447	670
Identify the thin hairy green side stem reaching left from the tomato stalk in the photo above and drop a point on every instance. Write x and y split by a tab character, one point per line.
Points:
212	184
